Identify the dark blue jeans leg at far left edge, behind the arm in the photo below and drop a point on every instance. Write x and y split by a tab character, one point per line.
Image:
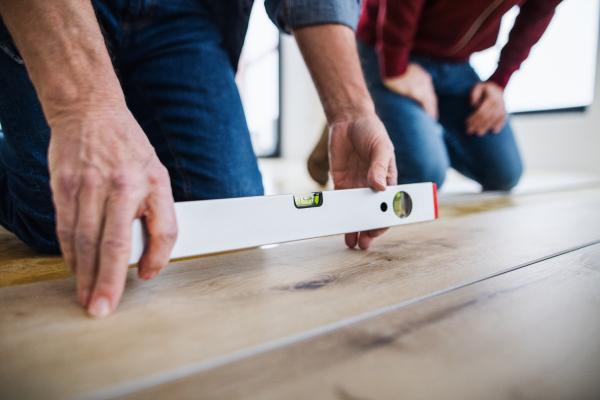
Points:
25	200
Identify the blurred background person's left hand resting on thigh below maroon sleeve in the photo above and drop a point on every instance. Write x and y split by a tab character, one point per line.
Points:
416	83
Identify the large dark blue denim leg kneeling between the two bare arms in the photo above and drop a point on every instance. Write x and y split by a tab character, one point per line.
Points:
179	85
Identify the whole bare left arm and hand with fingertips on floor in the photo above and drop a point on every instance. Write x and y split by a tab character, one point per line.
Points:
103	170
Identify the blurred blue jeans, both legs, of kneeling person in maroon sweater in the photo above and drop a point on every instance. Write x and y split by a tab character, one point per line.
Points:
426	148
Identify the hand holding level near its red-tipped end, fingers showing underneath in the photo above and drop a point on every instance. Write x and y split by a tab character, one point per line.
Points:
361	155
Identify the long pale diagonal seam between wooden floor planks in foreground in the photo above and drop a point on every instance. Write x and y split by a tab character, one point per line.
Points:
212	363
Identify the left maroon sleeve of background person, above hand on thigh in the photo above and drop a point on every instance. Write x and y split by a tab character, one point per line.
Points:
397	24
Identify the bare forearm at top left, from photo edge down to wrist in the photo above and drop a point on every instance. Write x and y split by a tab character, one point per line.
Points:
63	50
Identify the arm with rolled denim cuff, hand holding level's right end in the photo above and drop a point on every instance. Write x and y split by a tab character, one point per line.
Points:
361	153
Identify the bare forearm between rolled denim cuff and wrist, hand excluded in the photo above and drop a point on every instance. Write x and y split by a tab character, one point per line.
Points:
332	59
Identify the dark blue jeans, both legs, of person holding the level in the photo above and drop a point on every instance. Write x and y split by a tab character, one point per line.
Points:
179	85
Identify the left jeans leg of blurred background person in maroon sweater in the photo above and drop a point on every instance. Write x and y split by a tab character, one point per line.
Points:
420	151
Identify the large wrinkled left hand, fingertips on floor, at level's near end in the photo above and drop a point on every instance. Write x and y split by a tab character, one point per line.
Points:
104	173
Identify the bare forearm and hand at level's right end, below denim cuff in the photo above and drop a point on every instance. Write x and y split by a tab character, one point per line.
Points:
361	153
